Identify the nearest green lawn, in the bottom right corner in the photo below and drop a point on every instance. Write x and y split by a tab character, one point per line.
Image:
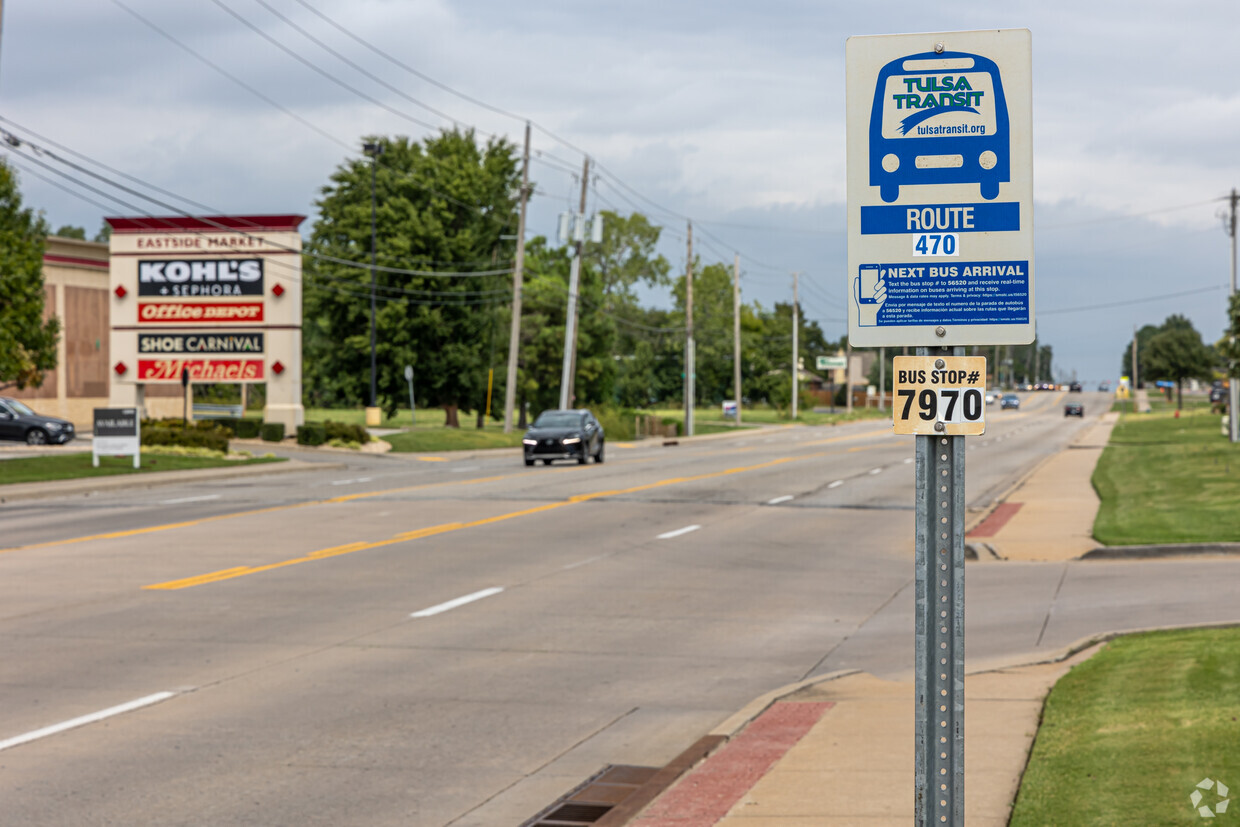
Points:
1128	735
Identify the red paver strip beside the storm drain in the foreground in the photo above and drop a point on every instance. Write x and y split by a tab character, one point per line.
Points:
707	794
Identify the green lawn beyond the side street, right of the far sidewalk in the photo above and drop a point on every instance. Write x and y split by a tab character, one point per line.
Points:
1167	480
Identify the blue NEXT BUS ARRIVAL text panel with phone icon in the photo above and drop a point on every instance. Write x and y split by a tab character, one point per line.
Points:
968	293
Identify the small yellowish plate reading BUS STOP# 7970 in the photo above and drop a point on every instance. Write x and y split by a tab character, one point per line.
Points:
939	396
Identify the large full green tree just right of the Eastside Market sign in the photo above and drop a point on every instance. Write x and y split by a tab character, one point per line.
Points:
443	205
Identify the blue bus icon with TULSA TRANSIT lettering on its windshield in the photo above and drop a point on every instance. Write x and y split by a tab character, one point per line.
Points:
939	118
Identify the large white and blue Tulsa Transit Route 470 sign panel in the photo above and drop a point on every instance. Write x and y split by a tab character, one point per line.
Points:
941	189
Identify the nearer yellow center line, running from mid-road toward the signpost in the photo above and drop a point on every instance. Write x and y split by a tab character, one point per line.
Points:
337	551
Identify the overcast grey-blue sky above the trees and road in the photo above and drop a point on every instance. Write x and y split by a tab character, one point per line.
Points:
730	113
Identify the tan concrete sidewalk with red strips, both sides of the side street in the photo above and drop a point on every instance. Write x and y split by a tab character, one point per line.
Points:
854	766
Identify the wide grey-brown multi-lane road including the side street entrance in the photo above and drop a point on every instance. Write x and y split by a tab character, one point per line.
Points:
461	642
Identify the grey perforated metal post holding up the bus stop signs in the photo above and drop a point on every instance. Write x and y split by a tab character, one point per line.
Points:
941	627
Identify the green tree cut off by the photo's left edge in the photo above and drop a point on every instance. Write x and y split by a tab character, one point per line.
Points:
28	343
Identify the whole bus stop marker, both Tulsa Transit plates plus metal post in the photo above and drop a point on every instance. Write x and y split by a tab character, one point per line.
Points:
941	257
